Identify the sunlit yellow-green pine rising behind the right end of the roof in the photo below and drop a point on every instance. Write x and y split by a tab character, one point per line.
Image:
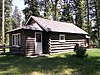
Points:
80	6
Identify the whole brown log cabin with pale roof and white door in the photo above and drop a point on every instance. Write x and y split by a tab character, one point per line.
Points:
42	35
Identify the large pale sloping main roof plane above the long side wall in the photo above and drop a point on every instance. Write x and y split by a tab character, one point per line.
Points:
56	26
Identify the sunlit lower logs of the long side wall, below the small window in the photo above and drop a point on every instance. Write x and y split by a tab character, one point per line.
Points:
68	44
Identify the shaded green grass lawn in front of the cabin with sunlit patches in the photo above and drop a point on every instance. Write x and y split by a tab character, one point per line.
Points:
56	64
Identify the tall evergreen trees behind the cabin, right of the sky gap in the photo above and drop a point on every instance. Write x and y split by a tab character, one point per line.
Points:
81	17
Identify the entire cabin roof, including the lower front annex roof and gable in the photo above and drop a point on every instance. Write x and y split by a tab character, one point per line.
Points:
53	26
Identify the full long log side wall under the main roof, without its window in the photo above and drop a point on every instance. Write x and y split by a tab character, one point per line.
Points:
70	41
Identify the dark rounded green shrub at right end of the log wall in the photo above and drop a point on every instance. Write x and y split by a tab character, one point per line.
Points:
80	51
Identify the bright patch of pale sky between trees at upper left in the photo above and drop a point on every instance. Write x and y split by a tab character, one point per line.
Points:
20	4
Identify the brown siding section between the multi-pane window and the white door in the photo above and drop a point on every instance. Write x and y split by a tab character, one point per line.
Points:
28	42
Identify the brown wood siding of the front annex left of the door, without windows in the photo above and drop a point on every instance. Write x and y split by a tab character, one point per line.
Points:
27	43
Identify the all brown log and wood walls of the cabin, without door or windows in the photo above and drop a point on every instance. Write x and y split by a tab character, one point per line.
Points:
50	42
